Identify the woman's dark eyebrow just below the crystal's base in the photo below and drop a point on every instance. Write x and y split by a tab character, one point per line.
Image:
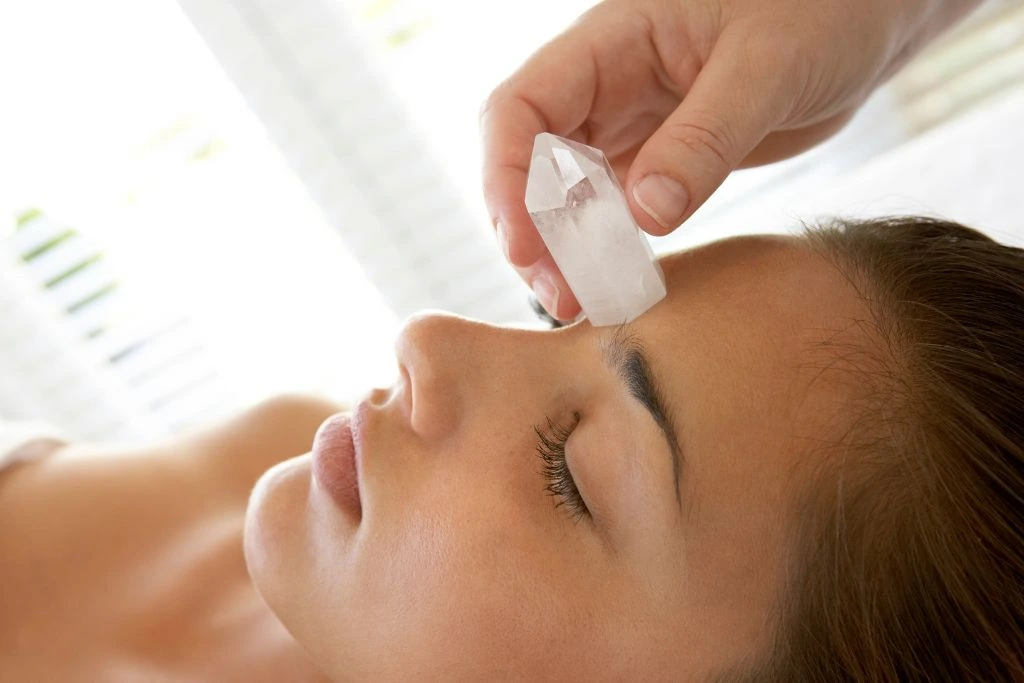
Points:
625	355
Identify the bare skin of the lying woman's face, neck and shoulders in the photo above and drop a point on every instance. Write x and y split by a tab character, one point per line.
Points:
127	564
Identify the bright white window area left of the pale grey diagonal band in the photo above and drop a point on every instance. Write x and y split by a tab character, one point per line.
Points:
230	287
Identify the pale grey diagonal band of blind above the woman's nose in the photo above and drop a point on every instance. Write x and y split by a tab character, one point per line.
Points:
308	73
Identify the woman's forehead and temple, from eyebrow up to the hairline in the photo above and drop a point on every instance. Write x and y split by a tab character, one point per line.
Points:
744	348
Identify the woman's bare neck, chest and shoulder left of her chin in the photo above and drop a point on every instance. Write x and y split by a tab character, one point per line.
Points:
120	565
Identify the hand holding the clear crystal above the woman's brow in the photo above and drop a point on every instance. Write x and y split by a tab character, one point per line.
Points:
678	94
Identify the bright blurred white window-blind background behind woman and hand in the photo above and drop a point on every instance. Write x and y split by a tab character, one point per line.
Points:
204	203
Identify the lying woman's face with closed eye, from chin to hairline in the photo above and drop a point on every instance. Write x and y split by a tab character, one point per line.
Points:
462	566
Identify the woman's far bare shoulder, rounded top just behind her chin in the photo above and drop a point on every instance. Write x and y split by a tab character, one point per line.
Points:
241	449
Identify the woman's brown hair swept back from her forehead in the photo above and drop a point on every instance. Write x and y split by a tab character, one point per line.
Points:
912	549
